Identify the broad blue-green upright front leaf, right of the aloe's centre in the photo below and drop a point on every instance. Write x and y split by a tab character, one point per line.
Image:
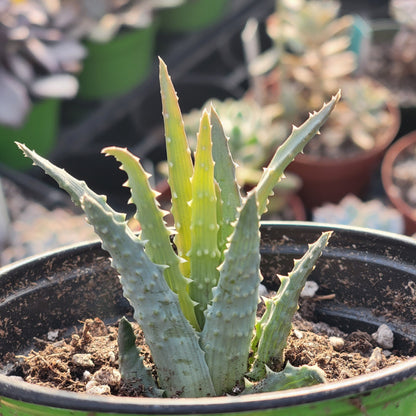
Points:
231	316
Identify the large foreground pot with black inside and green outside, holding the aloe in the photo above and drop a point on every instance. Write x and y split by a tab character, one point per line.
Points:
361	267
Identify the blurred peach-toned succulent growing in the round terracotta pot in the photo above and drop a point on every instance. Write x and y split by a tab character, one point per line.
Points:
311	59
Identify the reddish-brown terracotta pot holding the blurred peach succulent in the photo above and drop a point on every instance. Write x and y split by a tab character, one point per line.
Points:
329	180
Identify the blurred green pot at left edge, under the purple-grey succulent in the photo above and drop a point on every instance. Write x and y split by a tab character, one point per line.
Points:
39	131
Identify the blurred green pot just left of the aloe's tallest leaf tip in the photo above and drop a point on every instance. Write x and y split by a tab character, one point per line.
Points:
117	66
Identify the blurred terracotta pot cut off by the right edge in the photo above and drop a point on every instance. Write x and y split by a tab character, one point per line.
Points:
409	213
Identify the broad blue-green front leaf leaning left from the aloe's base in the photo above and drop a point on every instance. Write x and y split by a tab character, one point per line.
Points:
172	340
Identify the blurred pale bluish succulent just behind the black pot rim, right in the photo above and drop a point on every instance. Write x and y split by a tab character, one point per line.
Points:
352	211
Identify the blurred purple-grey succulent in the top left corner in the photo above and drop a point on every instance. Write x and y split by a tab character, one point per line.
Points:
37	57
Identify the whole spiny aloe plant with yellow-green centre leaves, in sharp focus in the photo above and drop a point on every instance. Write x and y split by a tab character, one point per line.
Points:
197	305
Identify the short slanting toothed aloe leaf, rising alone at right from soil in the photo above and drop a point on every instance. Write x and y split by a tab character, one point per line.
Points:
272	333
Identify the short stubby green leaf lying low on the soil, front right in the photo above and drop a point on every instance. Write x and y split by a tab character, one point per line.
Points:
289	378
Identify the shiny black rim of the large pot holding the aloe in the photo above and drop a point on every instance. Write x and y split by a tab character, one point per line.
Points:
23	391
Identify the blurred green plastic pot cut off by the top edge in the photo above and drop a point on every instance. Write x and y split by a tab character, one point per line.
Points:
192	15
